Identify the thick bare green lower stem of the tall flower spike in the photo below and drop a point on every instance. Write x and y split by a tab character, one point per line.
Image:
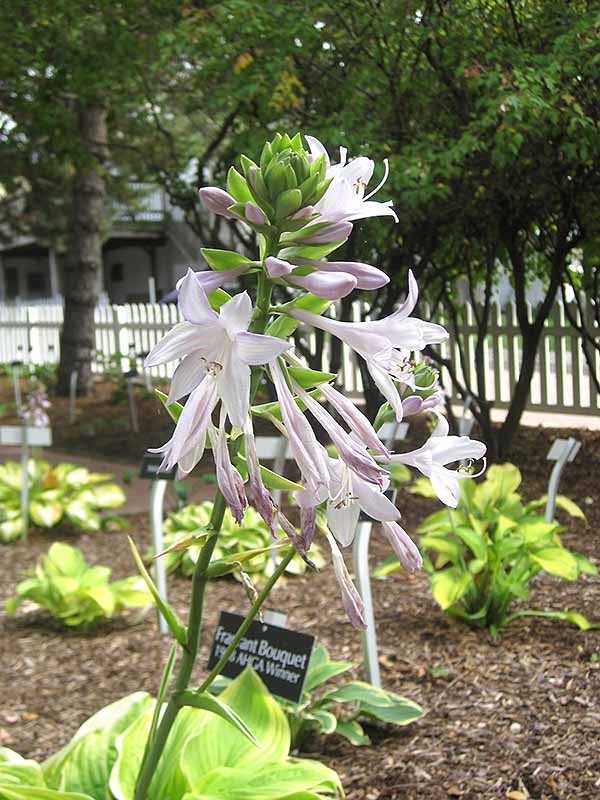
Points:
154	749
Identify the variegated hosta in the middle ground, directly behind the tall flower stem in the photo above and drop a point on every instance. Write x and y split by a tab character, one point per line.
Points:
186	528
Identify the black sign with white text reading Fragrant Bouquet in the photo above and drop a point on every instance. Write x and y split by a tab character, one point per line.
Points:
278	655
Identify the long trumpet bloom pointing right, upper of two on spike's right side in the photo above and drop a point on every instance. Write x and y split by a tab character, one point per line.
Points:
381	342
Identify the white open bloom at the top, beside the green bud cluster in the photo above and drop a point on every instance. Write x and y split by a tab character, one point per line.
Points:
345	198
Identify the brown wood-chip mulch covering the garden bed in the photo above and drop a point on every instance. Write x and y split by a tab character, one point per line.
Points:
513	719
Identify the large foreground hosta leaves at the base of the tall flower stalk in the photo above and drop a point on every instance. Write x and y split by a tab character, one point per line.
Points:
210	754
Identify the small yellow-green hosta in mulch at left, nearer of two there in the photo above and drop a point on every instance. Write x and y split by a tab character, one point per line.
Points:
74	593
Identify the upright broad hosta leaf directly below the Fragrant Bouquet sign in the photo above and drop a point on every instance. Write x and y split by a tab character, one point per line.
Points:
222	746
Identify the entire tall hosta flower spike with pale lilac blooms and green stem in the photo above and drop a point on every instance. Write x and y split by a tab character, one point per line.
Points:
302	208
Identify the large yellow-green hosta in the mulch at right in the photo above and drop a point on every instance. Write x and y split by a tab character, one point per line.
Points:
482	555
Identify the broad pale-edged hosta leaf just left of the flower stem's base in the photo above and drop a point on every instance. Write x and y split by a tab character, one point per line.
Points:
86	762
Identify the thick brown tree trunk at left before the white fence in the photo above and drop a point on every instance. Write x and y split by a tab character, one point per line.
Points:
84	265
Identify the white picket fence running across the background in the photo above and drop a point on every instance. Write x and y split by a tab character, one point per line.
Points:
561	381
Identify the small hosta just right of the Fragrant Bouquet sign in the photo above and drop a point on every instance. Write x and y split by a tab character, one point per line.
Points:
340	709
